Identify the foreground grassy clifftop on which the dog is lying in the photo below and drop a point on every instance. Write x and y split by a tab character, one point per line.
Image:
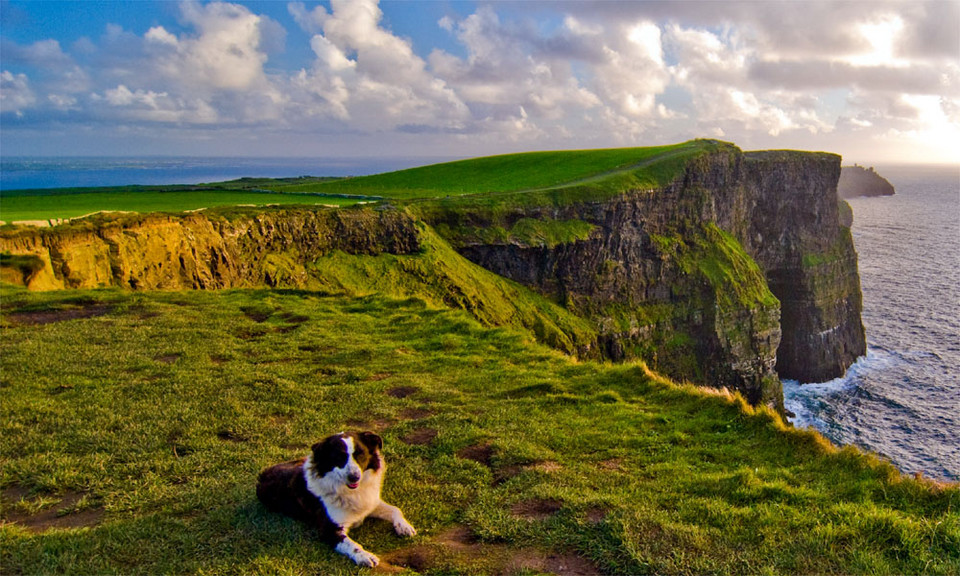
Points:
156	411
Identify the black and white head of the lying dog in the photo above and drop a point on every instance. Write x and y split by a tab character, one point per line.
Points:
345	457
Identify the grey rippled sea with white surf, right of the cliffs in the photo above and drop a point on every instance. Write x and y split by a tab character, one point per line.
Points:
902	400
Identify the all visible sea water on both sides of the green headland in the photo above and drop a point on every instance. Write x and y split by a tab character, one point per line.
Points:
901	401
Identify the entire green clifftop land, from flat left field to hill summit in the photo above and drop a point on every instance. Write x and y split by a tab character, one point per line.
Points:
590	172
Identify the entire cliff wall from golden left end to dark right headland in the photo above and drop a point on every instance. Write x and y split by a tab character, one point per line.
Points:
729	269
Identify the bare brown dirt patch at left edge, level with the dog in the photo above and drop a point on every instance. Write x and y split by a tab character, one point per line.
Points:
31	514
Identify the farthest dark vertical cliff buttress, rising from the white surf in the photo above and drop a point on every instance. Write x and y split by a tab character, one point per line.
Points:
798	236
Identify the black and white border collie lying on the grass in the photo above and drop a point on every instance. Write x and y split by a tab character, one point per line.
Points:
333	489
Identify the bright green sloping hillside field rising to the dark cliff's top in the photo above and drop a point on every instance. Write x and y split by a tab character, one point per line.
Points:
512	172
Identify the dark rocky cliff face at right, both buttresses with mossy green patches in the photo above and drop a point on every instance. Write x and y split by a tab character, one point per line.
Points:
736	272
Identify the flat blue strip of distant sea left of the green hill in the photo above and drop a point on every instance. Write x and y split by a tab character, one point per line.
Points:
36	172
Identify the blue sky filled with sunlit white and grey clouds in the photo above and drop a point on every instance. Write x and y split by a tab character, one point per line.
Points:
874	81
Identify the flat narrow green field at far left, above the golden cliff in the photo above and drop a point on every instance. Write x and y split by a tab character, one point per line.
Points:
14	208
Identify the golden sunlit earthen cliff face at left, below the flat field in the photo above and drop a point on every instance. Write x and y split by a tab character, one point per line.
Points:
196	251
